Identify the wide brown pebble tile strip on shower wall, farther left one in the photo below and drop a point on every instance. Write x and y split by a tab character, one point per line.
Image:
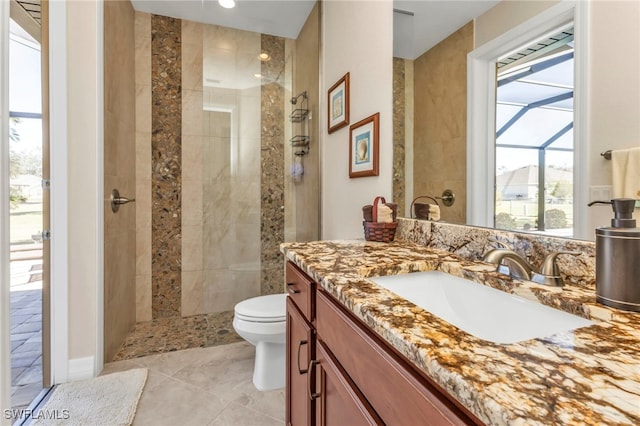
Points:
166	168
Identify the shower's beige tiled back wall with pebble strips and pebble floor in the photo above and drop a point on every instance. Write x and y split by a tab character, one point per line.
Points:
211	122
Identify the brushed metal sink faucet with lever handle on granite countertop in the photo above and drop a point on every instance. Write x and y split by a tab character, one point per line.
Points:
511	263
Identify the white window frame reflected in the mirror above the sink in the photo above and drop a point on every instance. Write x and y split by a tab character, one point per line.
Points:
481	90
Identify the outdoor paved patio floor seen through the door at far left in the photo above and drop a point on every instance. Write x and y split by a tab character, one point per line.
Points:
26	325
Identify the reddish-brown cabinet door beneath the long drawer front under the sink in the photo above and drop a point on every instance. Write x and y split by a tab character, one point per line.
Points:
339	402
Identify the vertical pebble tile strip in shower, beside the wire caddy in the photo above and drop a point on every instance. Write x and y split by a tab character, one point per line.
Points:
272	165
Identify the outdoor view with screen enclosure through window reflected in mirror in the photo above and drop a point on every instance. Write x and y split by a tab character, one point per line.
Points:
534	137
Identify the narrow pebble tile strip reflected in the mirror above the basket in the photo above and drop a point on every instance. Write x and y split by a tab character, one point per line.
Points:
398	134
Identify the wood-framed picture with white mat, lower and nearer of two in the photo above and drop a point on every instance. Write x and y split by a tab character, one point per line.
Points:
363	147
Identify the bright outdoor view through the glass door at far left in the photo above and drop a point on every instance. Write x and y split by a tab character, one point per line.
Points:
25	217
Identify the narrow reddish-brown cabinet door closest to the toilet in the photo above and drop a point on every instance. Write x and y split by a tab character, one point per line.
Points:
300	350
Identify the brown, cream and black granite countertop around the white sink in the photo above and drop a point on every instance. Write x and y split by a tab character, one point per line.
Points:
587	376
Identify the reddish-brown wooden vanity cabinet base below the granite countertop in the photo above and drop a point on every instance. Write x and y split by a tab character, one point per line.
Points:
337	369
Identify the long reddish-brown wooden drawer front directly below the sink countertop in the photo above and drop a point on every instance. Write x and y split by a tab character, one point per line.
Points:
396	391
